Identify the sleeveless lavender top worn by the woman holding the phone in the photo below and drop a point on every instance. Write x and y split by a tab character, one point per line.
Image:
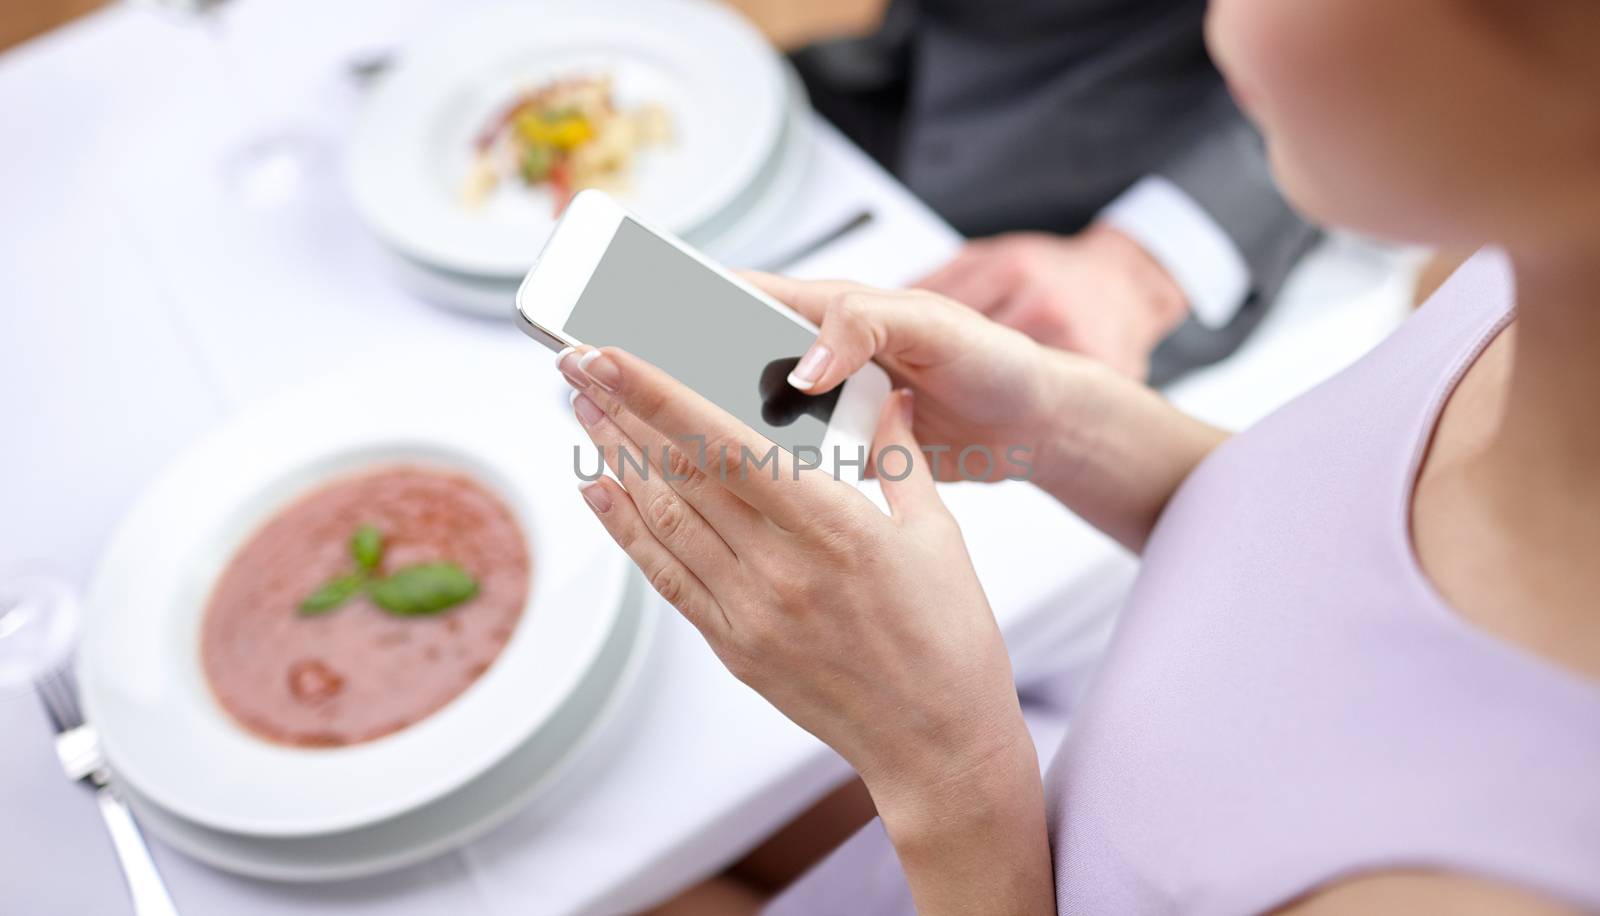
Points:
1287	701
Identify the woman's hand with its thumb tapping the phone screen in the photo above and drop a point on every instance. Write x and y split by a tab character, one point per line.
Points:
1103	444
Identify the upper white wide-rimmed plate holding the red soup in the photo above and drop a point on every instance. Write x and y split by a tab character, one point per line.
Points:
140	667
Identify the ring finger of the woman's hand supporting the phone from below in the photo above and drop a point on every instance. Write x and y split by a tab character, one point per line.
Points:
673	523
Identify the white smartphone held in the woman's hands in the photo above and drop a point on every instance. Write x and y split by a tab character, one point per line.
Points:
607	278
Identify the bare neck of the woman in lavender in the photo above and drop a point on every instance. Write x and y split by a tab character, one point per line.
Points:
1546	449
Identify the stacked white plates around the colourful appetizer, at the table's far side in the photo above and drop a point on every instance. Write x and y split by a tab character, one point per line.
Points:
740	123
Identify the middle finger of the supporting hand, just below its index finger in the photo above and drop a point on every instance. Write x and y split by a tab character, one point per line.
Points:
679	464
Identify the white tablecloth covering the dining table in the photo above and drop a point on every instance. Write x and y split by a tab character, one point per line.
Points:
142	307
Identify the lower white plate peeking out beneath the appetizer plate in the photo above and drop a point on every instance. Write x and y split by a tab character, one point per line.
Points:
724	236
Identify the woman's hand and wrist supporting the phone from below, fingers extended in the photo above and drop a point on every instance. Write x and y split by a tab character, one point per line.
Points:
868	630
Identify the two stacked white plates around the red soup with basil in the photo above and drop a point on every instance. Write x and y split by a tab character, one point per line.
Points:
556	694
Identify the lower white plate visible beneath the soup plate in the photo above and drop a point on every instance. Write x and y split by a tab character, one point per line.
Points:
572	742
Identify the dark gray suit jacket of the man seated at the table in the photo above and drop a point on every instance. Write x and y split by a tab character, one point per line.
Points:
1034	114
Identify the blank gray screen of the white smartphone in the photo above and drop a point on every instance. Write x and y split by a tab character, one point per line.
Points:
668	308
